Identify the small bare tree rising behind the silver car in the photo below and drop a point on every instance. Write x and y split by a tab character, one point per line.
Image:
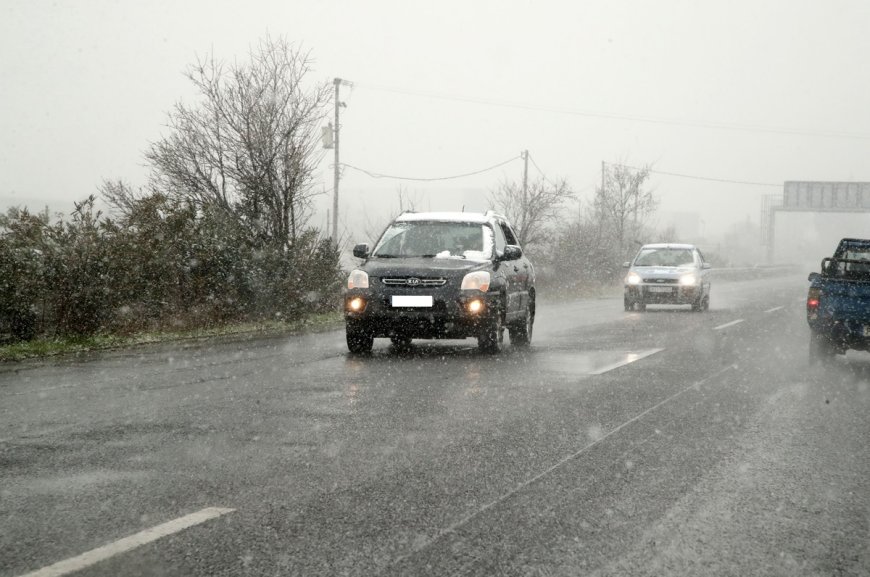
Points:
622	204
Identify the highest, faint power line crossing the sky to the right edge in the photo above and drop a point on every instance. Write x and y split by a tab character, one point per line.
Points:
614	116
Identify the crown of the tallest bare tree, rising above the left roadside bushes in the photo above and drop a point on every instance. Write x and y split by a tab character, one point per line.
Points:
252	142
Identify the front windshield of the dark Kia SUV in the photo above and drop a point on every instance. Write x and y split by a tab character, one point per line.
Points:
435	239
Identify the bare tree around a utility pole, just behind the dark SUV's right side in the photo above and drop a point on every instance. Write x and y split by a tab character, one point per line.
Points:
532	211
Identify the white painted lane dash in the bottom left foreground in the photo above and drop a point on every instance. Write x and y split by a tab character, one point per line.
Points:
128	543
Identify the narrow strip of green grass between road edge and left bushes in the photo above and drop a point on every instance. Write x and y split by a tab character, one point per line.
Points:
70	345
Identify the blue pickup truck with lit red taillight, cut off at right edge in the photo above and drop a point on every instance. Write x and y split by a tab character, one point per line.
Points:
838	301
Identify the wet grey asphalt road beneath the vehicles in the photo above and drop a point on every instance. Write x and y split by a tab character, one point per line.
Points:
657	443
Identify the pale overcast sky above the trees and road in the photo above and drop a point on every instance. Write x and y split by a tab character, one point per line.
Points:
748	90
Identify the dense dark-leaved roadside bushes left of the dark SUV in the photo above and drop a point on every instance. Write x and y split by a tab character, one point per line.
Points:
161	264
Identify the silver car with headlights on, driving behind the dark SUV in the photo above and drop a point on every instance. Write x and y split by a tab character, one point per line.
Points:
673	274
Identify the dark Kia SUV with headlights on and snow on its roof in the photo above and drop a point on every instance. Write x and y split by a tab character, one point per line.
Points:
441	275
